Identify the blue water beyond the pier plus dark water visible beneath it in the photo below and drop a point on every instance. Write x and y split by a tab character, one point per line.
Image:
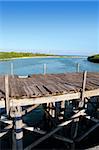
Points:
35	66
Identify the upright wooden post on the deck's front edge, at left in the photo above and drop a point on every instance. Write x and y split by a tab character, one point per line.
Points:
7	102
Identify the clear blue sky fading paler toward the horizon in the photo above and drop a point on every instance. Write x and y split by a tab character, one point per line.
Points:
57	27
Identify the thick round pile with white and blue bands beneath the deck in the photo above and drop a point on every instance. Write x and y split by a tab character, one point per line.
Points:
18	129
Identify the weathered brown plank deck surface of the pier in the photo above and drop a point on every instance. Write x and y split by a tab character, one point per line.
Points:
50	84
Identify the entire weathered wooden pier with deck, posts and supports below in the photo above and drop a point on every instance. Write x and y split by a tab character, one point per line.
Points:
59	95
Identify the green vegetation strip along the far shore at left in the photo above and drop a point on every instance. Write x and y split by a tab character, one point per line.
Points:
10	55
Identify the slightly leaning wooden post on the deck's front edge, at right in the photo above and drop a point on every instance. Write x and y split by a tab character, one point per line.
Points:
81	103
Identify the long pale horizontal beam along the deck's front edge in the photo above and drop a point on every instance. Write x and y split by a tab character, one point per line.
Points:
48	99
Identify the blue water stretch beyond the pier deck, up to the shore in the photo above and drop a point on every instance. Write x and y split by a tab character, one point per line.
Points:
54	65
